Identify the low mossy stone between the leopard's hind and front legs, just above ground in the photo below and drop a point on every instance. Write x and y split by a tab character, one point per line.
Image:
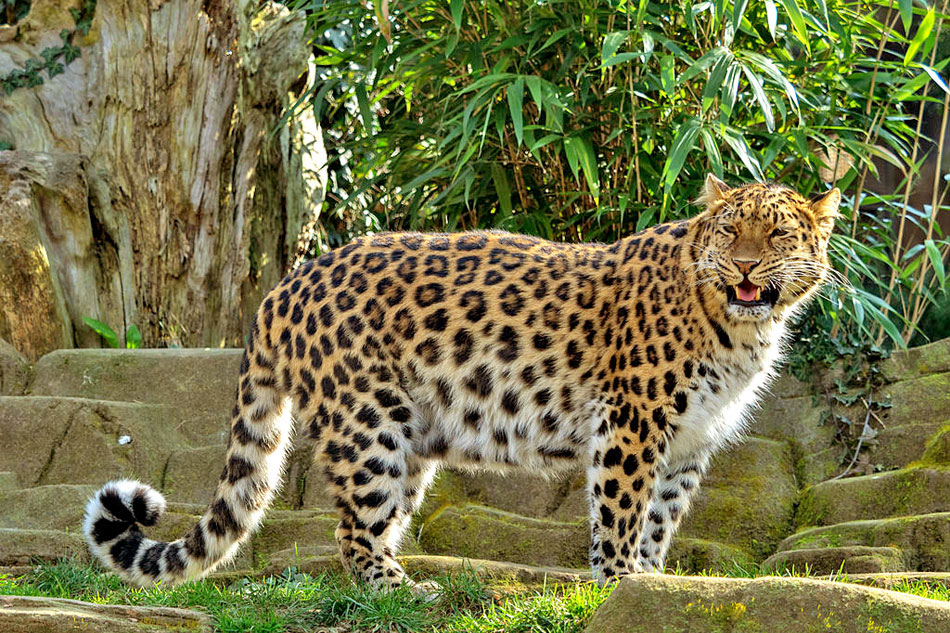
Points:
478	532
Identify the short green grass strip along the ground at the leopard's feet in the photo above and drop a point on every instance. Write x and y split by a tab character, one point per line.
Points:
299	602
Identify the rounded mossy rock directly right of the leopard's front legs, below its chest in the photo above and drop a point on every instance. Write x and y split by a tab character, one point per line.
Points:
748	498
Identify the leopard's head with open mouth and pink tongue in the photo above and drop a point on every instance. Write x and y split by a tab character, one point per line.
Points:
762	249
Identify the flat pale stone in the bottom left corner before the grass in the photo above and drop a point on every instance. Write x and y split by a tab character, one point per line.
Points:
27	614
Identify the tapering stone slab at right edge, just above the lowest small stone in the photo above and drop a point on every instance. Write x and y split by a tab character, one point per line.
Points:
922	538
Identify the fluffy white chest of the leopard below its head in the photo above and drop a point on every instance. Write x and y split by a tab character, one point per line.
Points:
722	395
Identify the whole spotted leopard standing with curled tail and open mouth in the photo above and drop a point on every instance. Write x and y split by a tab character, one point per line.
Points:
402	353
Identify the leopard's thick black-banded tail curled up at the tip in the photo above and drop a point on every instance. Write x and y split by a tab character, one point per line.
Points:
261	430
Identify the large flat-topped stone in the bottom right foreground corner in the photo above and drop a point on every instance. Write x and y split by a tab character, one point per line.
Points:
671	604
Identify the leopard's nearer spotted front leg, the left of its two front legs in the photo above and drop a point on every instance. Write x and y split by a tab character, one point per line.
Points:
620	483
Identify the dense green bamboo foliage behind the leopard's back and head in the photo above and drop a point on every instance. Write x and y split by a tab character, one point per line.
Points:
588	120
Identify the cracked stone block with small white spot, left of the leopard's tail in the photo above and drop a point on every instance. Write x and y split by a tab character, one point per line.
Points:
76	440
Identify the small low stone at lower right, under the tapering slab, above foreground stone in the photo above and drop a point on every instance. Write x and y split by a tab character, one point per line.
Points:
829	560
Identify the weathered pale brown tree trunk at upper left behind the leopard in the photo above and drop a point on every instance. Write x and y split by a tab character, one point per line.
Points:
146	182
